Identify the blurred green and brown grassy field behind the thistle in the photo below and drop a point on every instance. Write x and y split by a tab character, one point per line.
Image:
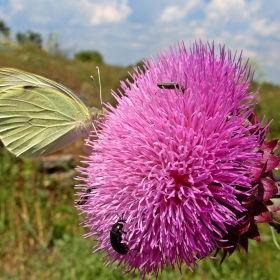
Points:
41	235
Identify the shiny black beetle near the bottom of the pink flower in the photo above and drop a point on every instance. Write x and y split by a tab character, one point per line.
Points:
116	237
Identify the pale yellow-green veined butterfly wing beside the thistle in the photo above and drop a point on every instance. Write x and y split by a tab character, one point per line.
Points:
39	116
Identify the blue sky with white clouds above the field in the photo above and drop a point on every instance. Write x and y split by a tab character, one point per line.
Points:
125	32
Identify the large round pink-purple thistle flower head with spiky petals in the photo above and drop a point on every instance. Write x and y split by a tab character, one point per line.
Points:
176	171
